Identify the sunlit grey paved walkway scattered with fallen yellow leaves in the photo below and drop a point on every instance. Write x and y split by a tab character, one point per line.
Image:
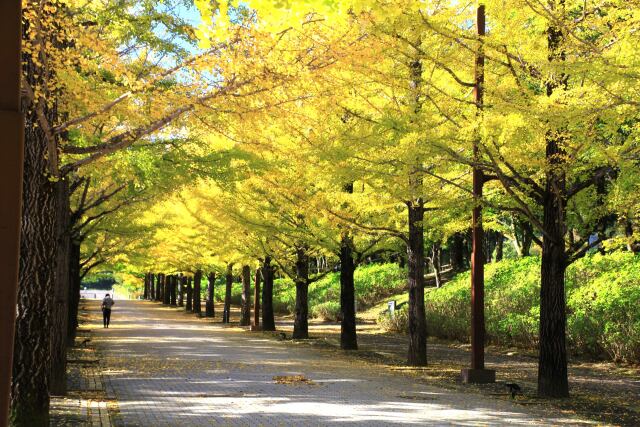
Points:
167	368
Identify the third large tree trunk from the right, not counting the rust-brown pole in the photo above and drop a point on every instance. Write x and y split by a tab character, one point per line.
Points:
348	338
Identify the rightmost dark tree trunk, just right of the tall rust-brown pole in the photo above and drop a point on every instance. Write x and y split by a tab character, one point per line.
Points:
552	367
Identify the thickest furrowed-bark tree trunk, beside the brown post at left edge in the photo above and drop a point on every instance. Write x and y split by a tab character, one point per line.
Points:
38	247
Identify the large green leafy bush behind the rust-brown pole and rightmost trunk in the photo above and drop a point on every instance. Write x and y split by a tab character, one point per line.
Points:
603	305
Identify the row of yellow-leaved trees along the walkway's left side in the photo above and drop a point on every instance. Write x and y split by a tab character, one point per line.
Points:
109	91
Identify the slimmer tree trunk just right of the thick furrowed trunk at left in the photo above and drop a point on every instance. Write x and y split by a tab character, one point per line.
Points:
61	293
